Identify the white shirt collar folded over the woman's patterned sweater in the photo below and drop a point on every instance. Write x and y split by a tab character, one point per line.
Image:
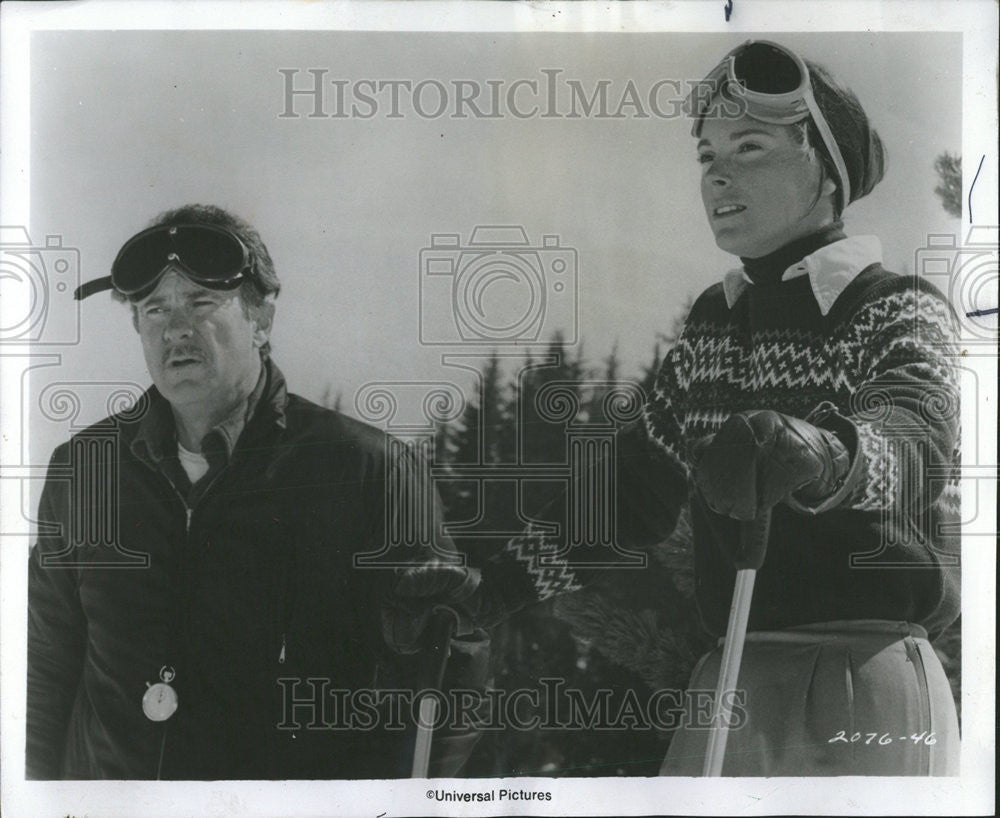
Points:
830	270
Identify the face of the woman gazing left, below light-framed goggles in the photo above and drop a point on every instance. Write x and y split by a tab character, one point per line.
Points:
760	186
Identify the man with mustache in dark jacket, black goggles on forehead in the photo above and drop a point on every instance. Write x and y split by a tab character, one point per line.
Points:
219	656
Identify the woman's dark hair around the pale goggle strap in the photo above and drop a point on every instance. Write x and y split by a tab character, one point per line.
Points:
859	143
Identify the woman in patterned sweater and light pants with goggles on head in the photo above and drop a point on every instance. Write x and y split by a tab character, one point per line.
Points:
816	385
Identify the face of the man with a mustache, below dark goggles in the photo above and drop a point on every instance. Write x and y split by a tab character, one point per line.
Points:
200	347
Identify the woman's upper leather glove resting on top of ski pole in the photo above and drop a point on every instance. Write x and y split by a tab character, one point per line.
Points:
759	458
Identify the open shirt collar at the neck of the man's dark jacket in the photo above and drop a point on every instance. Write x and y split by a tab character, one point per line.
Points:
156	437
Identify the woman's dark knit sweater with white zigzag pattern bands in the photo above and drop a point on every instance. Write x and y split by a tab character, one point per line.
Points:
865	353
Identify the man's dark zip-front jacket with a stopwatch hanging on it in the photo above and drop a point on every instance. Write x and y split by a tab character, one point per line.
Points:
247	595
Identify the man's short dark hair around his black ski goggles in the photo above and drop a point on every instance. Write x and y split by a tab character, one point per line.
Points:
255	290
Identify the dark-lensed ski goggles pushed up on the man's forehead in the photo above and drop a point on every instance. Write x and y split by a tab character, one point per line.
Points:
208	255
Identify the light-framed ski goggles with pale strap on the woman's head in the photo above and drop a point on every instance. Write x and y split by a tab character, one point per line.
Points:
771	84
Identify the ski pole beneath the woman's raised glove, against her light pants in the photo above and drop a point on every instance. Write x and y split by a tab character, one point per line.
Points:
753	547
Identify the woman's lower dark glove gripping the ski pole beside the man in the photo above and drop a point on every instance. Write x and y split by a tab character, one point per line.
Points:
416	592
